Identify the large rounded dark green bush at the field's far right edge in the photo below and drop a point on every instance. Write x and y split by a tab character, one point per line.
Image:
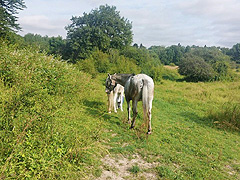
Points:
214	65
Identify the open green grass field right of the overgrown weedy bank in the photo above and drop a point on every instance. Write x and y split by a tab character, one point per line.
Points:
186	142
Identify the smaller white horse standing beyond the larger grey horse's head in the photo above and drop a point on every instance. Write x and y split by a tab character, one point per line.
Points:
115	97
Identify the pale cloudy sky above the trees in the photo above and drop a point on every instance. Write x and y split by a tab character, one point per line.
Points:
154	22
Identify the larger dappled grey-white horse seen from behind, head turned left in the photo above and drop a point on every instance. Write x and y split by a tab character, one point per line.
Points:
137	88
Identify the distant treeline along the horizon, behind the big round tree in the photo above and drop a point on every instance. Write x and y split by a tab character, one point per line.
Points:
166	55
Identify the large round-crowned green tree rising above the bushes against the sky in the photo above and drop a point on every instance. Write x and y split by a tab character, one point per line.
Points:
102	28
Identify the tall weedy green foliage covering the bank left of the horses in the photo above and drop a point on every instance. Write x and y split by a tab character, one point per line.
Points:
45	130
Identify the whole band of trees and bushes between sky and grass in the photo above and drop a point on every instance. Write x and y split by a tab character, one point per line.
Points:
100	41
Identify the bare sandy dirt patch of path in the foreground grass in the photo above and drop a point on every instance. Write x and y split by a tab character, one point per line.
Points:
118	167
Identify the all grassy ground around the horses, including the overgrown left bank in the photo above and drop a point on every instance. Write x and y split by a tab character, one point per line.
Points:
54	125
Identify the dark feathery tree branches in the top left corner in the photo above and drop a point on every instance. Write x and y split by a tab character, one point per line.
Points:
8	19
